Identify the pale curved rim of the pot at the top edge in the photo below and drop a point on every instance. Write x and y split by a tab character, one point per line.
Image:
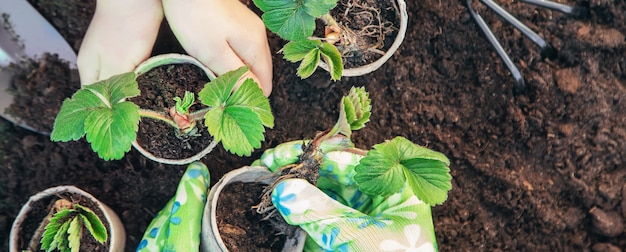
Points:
400	10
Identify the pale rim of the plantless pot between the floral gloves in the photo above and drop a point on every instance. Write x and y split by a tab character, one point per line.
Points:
211	239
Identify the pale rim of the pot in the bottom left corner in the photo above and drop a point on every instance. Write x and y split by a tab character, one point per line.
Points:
117	235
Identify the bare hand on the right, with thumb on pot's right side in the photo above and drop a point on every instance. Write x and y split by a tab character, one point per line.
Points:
224	35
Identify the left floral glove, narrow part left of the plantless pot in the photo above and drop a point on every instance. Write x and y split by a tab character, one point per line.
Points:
177	226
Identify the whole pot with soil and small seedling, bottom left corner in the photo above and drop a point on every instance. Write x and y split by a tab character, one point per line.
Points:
66	217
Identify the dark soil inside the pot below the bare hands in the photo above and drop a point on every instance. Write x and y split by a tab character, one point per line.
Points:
158	88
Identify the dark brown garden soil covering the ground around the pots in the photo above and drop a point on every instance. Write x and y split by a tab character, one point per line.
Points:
540	170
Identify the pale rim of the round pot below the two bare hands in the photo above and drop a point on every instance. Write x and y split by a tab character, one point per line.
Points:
169	59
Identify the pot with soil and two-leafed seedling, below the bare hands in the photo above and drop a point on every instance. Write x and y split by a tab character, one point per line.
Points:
155	110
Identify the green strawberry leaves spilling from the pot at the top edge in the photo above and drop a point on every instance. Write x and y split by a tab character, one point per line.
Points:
295	21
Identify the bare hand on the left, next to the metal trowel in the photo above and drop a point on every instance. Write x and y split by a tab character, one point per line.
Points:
120	36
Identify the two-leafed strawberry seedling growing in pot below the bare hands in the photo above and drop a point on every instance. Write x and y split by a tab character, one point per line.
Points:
102	114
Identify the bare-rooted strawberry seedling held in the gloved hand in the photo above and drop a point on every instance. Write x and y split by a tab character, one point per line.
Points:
383	171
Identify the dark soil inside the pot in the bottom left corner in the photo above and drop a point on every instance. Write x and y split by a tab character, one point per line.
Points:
40	209
